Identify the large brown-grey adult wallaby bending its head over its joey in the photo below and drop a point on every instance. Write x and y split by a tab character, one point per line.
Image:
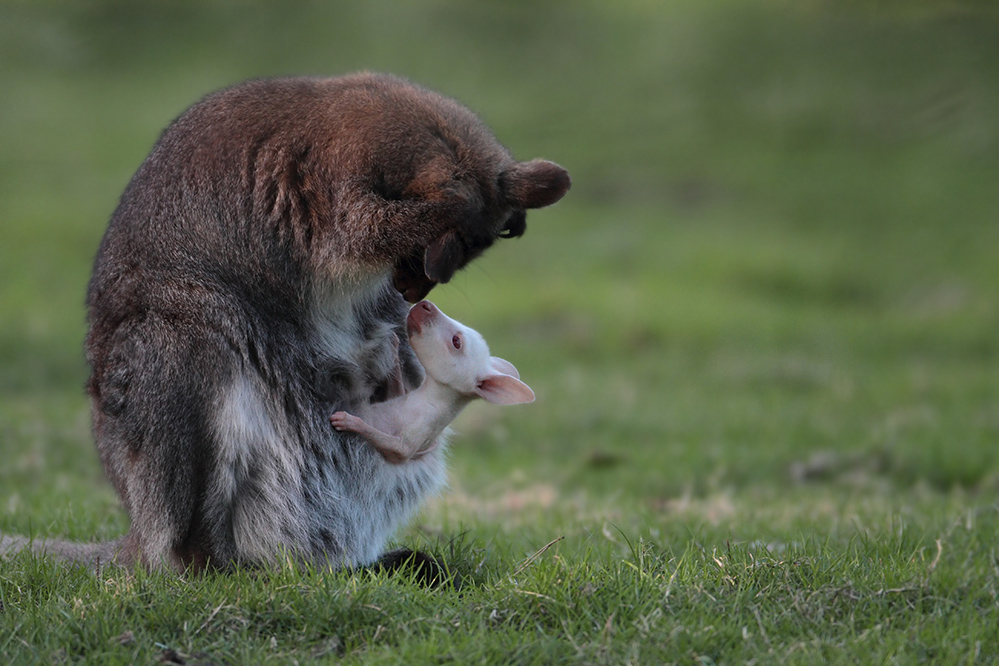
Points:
250	283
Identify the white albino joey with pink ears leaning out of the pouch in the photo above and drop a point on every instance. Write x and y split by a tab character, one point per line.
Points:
458	369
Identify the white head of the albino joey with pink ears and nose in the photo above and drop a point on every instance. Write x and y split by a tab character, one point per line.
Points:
458	357
